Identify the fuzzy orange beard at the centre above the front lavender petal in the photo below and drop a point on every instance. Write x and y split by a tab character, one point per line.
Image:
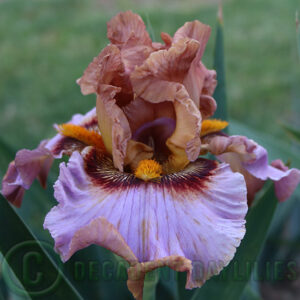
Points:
148	169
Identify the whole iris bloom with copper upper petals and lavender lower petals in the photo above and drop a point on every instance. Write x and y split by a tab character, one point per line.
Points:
135	182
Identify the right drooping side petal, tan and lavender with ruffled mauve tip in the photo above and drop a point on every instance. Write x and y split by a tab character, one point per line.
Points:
249	158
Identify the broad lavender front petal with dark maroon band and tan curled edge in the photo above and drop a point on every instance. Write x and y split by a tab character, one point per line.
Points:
207	198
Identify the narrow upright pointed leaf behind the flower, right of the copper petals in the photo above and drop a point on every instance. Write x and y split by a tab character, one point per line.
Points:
219	66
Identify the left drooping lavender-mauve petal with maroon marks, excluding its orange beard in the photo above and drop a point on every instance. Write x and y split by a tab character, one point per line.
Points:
31	164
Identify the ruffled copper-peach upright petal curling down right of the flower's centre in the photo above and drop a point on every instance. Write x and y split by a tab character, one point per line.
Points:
158	80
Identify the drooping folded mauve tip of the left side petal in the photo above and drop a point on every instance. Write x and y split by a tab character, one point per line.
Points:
27	166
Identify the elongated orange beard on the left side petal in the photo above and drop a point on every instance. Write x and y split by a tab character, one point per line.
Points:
88	137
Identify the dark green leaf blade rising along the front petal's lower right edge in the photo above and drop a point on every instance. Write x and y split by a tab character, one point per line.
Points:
233	279
